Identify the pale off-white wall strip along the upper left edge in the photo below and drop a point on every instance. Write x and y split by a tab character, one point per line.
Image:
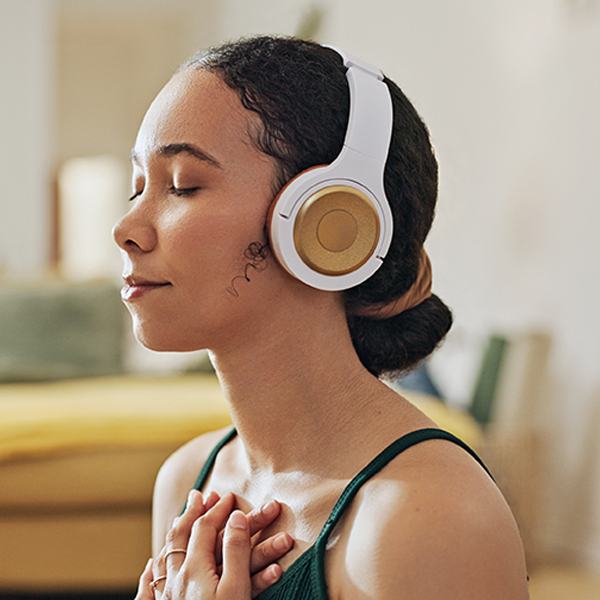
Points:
26	134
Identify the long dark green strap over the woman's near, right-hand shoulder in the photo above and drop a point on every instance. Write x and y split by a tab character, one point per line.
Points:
378	463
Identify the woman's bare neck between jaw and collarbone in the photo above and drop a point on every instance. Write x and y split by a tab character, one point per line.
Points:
296	390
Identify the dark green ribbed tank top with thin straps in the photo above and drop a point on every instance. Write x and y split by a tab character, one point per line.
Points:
305	577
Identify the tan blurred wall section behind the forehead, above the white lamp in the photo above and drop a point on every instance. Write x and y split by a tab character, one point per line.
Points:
113	57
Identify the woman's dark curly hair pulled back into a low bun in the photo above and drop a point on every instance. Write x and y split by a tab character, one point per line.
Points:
300	91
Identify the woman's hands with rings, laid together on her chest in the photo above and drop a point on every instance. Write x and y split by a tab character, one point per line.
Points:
211	553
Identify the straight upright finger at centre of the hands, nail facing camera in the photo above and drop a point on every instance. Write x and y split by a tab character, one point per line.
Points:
235	579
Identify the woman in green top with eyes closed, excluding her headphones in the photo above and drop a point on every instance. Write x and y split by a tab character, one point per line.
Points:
299	366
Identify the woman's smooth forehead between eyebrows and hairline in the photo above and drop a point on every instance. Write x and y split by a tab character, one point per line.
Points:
197	107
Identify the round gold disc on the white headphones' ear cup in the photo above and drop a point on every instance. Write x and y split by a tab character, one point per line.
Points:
336	230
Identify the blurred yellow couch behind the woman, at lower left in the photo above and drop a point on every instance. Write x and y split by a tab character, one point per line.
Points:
77	466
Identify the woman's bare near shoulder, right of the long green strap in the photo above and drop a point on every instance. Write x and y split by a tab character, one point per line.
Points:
434	525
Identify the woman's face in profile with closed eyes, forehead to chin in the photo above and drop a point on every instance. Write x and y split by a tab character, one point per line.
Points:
201	194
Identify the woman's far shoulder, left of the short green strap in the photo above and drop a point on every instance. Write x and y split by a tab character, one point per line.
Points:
175	479
